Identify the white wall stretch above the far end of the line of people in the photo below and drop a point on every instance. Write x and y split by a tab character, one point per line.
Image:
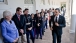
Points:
40	5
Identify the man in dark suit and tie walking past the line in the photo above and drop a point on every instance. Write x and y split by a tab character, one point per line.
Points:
57	22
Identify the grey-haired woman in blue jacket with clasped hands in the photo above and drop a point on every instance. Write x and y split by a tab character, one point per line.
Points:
8	28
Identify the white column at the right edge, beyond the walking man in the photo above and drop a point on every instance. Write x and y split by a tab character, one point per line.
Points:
73	17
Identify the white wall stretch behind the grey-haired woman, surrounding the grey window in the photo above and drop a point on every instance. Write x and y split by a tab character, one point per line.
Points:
13	4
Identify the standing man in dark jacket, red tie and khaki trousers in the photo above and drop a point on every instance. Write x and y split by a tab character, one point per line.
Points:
20	23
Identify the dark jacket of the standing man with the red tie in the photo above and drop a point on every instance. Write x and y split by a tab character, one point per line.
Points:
20	24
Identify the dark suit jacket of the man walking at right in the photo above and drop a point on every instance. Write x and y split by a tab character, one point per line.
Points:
61	22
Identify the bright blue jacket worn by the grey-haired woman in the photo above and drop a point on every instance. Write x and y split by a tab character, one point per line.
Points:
9	31
